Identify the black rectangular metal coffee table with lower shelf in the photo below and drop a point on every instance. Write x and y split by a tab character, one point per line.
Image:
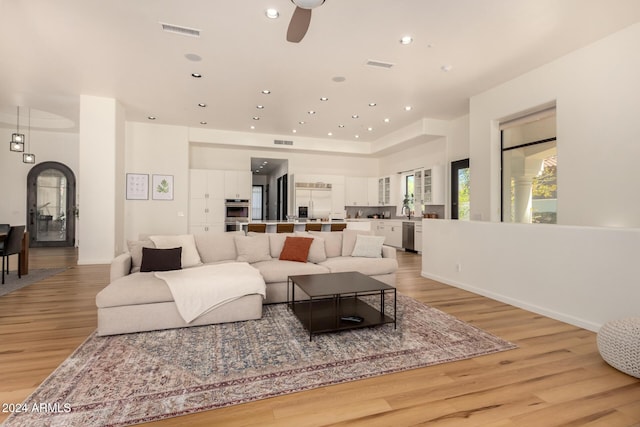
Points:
333	296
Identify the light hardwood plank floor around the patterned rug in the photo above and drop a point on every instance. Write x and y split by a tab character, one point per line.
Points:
555	378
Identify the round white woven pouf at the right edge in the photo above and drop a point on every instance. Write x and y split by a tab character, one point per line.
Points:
619	344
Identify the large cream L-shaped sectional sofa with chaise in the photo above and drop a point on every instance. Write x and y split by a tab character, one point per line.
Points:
136	301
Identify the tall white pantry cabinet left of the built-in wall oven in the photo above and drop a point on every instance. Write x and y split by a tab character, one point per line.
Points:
206	200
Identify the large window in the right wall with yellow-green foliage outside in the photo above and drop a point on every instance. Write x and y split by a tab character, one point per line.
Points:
529	170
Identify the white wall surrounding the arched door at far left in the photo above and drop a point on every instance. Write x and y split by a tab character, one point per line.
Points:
47	146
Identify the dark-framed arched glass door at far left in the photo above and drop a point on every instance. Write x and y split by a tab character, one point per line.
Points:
51	205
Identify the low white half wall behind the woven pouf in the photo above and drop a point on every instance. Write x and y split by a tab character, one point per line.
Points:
580	275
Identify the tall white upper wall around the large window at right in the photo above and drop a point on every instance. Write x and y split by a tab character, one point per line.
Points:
596	89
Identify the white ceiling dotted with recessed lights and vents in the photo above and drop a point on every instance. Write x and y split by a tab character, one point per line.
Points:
53	51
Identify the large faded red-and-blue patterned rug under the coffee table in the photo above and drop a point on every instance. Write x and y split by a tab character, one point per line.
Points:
129	379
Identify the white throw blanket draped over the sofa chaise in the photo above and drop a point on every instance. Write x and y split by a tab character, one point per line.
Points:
199	290
